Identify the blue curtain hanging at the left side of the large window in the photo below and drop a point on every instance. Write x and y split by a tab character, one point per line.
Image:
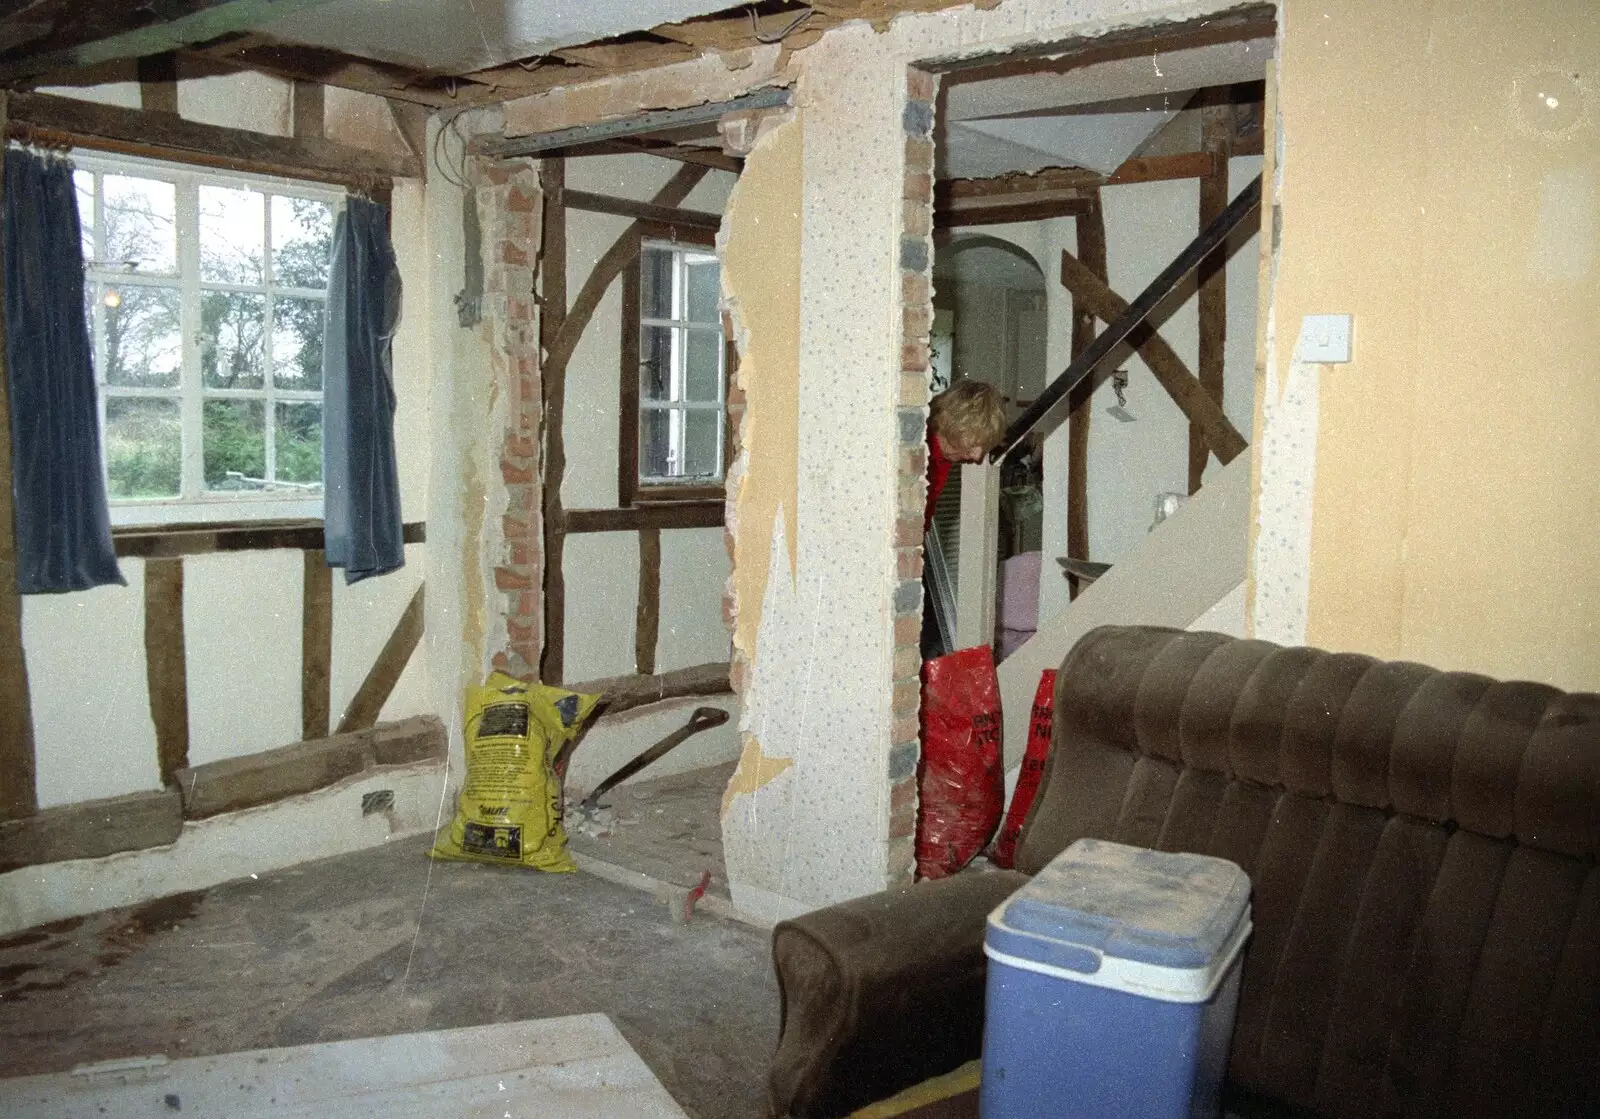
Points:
63	526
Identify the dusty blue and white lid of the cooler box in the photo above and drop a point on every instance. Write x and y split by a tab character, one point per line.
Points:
1154	916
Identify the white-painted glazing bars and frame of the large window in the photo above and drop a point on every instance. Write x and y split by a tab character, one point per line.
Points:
196	505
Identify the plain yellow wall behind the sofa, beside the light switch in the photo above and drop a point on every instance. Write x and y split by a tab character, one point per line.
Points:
1433	190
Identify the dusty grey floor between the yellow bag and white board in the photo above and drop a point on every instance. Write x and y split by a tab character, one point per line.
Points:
388	942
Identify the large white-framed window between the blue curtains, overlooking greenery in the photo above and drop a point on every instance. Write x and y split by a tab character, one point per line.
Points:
206	299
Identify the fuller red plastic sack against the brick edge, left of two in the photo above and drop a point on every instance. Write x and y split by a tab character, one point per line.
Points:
959	782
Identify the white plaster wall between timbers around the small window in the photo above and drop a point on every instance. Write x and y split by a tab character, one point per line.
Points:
602	569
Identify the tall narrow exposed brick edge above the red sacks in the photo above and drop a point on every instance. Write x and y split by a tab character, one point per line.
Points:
913	415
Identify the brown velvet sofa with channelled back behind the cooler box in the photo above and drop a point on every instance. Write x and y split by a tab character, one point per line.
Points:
1422	849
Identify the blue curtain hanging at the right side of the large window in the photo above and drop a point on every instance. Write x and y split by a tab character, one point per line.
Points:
361	483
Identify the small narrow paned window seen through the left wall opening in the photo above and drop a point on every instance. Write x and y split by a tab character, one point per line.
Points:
682	374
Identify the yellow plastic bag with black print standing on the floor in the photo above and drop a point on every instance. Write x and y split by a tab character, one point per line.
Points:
511	804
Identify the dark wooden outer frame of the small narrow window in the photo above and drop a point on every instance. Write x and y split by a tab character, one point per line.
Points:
633	489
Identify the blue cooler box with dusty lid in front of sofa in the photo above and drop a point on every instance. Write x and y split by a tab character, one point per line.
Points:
1113	984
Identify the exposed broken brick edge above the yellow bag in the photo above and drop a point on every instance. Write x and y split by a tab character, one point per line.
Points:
508	198
